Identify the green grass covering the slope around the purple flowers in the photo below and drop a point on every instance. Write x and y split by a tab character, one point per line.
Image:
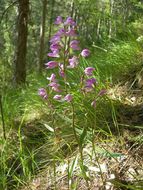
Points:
37	137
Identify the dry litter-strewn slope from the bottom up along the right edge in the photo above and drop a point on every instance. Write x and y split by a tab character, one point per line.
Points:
116	160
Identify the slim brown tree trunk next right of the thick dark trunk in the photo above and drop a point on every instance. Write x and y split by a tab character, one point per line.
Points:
42	36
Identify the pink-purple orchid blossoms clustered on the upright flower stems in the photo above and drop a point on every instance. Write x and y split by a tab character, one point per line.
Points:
64	45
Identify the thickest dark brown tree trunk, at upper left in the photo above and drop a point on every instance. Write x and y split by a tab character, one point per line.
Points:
20	62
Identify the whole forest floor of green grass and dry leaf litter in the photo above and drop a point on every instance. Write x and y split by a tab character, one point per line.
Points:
41	153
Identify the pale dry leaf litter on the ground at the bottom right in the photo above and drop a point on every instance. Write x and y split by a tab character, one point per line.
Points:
120	162
